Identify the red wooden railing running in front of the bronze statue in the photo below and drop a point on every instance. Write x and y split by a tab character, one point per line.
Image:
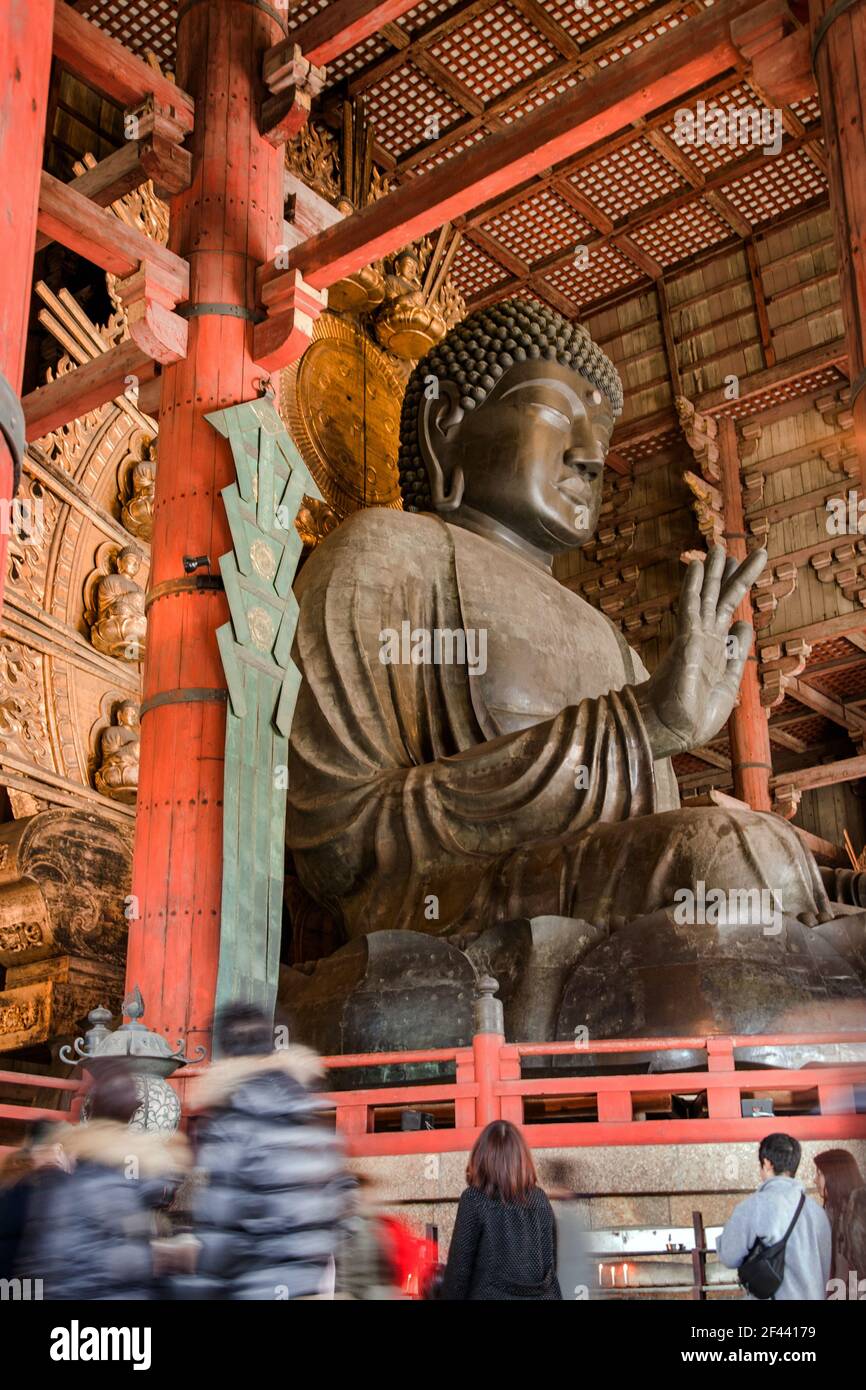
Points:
489	1085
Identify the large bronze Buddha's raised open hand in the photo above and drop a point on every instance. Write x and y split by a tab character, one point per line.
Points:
692	693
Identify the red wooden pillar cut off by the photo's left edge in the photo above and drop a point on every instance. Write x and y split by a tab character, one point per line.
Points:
26	67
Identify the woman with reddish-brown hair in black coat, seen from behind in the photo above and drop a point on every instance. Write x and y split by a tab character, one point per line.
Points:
504	1245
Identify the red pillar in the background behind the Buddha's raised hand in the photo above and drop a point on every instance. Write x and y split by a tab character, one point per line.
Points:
749	728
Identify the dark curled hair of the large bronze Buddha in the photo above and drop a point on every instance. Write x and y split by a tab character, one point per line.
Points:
477	352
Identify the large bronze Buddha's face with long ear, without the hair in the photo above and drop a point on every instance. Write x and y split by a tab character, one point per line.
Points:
532	457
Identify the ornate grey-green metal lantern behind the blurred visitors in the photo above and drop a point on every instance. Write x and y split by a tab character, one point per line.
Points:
151	1061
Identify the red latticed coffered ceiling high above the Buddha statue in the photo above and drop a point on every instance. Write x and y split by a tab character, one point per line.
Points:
598	227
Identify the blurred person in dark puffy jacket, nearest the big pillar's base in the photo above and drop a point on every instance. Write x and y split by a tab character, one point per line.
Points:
276	1193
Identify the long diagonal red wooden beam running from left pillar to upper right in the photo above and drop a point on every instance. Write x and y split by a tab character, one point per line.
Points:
654	76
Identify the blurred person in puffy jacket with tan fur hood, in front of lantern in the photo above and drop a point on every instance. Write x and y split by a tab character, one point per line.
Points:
90	1231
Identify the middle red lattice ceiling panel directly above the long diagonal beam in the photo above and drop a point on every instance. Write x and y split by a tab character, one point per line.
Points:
494	52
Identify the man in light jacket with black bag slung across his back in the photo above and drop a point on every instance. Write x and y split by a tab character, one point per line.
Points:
779	1239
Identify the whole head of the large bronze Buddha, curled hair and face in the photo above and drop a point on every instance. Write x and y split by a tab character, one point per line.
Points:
509	419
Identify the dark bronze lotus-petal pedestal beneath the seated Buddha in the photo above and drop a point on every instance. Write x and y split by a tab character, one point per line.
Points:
564	979
